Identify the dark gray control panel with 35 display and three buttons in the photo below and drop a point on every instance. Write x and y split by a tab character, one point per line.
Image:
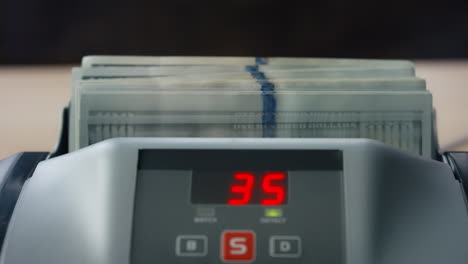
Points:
233	206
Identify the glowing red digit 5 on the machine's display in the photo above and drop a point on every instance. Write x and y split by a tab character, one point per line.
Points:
273	183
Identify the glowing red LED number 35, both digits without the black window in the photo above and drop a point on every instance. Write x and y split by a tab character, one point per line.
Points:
265	188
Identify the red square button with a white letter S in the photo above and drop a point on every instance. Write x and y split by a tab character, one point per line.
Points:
238	246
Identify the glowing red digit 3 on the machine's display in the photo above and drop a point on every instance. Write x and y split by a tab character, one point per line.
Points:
244	189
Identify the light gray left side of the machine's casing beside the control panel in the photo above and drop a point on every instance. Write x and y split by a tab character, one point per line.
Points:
76	208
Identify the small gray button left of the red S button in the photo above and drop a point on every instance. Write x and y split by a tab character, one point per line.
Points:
191	245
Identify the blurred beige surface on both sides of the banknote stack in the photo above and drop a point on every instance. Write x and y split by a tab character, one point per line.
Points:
32	98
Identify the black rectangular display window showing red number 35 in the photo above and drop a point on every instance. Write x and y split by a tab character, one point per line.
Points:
239	187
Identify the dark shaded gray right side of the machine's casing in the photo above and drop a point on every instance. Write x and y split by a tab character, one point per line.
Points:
420	212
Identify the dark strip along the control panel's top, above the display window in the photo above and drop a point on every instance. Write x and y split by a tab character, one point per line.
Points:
180	159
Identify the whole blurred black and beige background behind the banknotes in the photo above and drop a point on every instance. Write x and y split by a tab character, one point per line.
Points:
41	40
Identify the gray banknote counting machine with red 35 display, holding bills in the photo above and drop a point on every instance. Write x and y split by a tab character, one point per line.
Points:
233	199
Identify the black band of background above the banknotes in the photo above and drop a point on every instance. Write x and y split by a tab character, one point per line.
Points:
57	31
